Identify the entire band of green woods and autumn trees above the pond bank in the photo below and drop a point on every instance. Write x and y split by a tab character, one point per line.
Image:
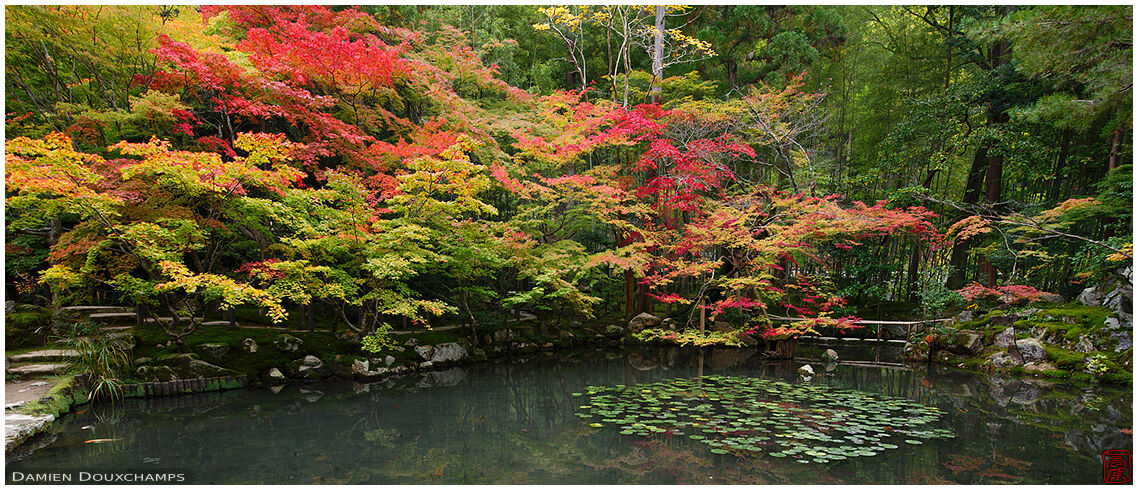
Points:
413	165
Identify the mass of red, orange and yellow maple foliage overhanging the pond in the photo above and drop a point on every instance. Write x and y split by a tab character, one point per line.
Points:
317	157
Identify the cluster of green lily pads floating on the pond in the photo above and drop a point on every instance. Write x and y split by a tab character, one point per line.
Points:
748	417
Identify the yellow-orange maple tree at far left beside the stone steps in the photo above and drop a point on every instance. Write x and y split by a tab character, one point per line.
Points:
151	225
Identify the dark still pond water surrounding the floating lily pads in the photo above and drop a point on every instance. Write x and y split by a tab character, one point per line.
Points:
518	421
